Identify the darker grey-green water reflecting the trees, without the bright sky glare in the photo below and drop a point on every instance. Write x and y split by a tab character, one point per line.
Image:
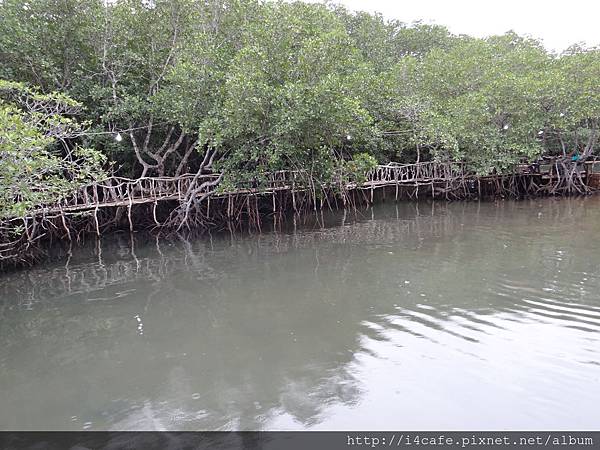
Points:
236	332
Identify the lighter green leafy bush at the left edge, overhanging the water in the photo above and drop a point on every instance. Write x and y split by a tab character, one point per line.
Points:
38	164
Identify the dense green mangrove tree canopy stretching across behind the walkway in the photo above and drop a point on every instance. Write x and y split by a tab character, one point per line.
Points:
152	86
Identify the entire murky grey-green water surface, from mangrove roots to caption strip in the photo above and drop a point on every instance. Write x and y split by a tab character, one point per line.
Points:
428	316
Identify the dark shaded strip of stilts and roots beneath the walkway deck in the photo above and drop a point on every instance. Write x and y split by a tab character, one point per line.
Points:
257	210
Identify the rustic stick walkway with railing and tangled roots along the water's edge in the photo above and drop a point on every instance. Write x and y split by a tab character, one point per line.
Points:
195	201
